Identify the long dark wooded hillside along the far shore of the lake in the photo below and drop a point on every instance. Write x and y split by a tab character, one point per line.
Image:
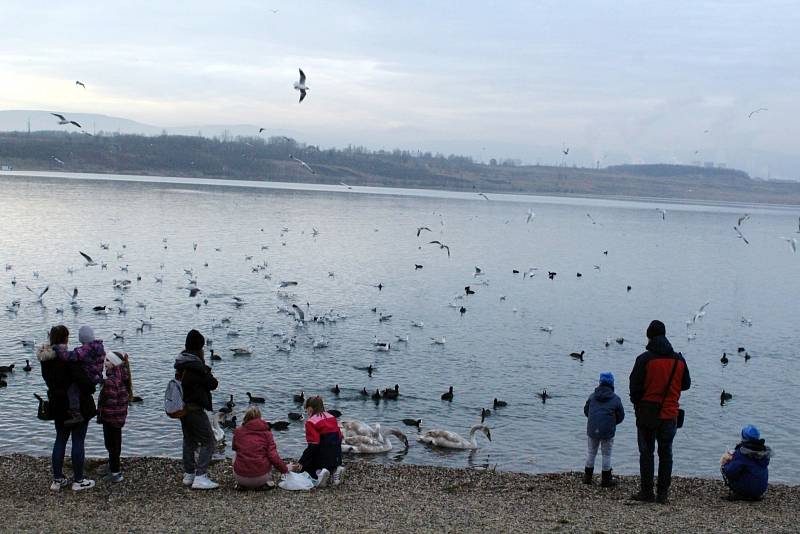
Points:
256	158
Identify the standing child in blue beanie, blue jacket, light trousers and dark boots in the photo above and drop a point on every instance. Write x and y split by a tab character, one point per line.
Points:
604	410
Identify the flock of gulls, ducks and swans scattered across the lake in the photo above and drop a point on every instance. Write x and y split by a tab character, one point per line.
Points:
360	437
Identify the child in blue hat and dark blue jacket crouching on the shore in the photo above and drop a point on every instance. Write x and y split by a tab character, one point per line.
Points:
745	471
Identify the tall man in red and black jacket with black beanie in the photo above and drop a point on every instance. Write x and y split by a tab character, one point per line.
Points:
648	381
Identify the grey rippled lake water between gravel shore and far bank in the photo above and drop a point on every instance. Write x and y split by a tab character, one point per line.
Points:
368	236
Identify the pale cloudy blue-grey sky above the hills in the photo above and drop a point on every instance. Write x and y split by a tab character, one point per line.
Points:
621	81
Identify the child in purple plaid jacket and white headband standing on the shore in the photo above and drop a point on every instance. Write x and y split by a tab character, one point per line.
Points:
112	410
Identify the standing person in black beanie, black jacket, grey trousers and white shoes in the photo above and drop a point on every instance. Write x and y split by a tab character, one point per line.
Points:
197	383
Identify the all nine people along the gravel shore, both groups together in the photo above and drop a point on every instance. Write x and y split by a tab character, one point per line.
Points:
658	377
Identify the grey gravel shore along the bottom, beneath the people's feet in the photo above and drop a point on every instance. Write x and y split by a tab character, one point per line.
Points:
376	498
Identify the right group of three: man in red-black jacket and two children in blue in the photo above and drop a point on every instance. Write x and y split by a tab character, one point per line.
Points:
658	377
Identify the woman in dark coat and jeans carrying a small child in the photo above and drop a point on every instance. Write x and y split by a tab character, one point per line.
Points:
59	375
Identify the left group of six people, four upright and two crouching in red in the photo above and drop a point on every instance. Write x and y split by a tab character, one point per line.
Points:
72	377
